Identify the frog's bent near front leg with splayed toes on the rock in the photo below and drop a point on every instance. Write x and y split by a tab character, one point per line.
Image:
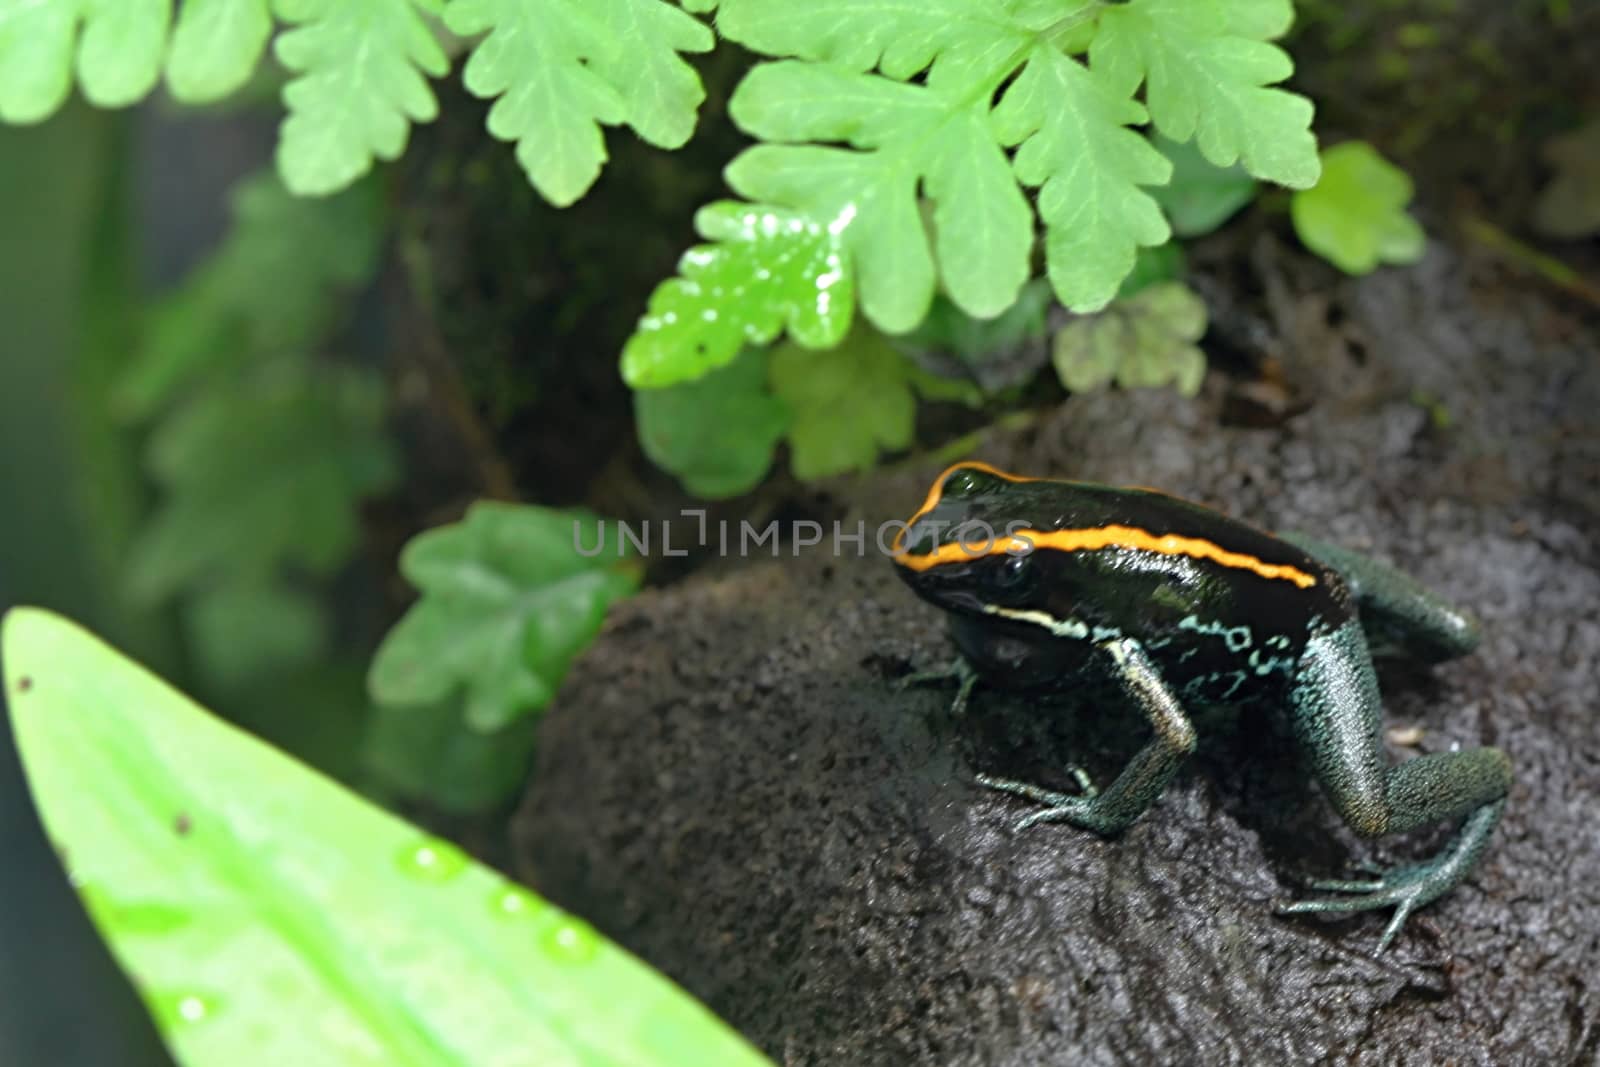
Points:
1146	775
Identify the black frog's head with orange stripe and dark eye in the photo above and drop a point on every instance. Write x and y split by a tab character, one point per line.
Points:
967	548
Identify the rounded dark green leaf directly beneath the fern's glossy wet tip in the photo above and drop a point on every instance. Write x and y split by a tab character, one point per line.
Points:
716	434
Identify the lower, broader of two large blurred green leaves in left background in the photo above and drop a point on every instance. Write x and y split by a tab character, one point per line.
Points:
260	471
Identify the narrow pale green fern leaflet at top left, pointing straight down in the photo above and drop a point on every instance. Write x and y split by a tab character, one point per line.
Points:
361	87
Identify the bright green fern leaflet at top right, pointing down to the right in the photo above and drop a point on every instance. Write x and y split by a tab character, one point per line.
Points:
1207	68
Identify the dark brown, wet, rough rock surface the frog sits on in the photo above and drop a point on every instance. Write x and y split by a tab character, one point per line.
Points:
734	788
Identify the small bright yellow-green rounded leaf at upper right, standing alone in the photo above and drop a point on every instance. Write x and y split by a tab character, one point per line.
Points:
1356	217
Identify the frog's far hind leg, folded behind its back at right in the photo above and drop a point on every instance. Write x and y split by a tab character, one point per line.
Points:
1396	609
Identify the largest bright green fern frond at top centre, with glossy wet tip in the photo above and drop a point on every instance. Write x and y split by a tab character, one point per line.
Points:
886	108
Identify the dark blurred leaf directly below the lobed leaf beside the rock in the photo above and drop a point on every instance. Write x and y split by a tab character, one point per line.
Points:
431	754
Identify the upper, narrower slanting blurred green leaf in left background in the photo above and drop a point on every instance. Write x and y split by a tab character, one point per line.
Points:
270	290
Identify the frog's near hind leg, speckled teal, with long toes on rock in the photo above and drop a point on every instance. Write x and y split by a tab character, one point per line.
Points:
1337	721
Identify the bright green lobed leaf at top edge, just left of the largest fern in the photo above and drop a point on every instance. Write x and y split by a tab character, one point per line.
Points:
562	70
